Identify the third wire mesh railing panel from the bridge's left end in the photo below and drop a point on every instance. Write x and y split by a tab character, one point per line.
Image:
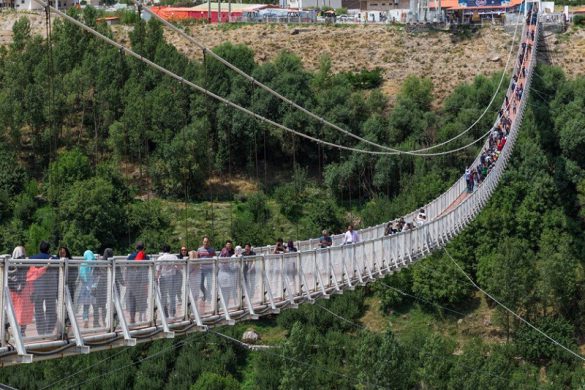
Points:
136	293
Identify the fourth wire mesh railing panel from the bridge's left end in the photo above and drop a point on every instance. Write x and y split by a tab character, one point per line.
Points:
169	278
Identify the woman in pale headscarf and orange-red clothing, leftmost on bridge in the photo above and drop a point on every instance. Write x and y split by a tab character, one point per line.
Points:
21	285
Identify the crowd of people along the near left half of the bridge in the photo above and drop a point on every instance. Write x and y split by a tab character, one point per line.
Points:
34	290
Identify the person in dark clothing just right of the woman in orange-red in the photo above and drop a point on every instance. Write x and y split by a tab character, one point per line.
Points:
45	293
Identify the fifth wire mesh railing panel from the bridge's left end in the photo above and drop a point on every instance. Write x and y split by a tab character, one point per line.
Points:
201	283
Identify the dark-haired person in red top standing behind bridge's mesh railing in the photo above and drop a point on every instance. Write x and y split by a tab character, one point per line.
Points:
137	291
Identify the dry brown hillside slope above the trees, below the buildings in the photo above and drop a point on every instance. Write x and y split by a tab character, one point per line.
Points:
352	48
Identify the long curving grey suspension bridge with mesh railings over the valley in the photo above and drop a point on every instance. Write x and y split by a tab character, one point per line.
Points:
129	305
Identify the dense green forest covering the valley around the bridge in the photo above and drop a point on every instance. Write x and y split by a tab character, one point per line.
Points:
86	133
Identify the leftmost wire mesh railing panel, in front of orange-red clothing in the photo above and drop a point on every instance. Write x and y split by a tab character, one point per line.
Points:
34	290
